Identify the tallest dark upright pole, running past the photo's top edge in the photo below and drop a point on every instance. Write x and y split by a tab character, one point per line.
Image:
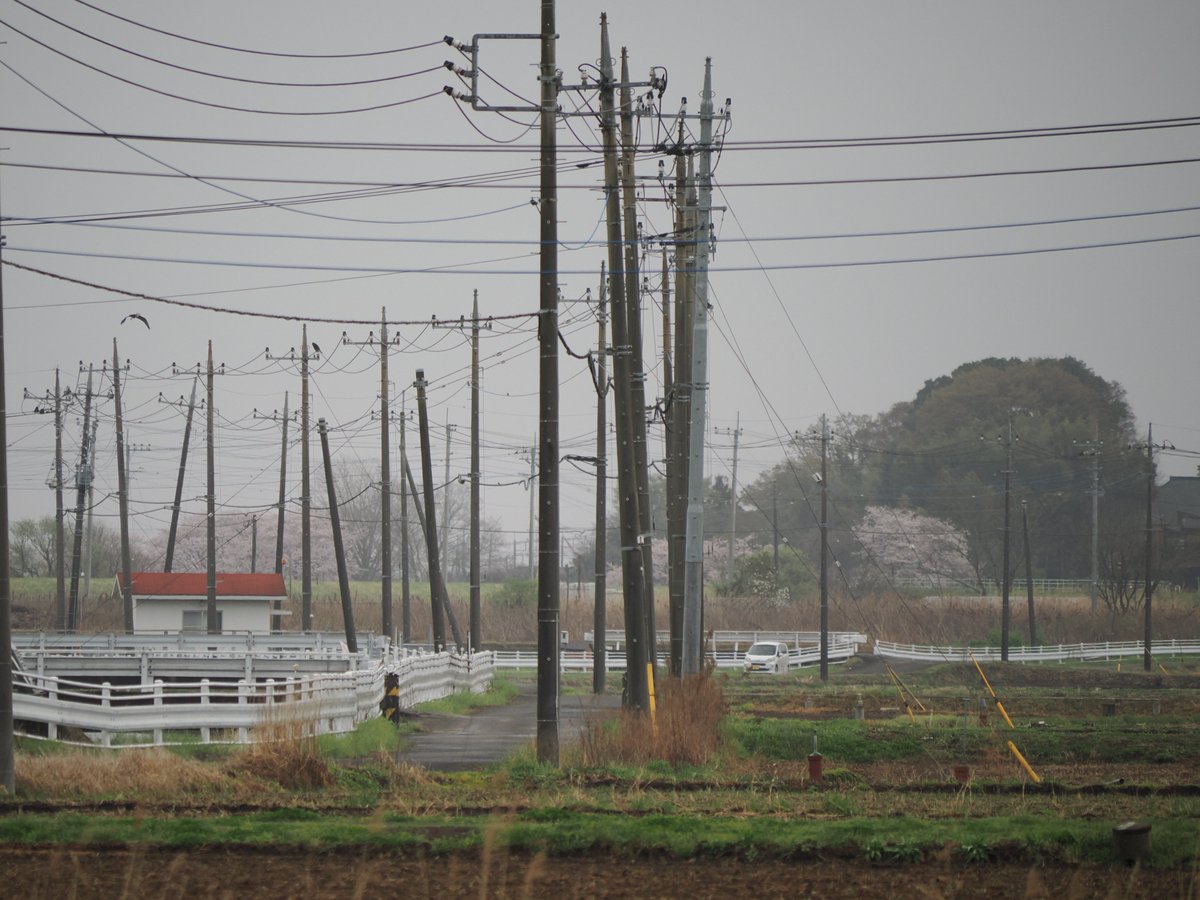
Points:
548	381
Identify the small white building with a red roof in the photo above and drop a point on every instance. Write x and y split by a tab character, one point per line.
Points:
178	602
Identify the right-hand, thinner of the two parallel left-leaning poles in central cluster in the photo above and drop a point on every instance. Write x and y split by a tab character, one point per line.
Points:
638	371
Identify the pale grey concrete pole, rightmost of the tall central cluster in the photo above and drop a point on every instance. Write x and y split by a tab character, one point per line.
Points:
694	547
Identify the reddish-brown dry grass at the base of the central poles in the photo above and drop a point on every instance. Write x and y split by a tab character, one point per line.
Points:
686	729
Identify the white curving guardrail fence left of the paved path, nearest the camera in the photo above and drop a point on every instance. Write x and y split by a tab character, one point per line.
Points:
227	711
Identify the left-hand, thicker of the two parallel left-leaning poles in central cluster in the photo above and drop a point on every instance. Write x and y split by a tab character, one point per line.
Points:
633	573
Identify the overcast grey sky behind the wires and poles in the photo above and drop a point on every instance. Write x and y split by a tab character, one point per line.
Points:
811	316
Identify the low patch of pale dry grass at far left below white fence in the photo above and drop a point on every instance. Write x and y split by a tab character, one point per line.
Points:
146	775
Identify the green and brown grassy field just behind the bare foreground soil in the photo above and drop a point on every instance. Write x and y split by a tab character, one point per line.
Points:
887	796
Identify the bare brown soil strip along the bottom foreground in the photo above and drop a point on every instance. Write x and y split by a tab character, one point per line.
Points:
58	873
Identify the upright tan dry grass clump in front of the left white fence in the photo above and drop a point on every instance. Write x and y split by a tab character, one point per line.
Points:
284	749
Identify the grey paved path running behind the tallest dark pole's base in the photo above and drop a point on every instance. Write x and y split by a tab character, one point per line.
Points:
452	743
